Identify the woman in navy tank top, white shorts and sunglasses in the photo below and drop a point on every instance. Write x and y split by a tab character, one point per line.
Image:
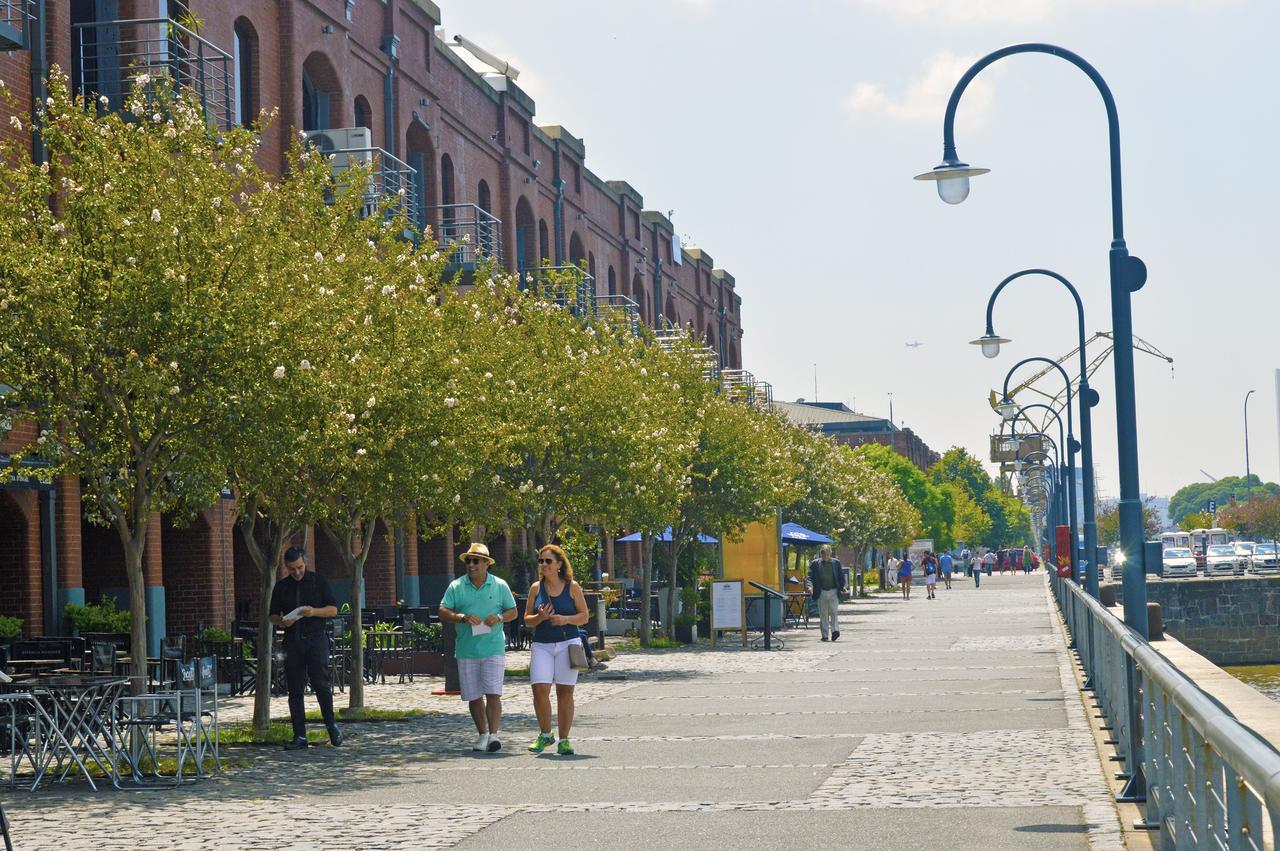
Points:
556	611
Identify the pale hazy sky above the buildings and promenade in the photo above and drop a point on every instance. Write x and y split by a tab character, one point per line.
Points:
785	136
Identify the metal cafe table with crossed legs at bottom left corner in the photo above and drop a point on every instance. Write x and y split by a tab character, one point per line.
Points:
77	730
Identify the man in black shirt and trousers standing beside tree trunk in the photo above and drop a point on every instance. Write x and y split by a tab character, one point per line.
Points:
300	603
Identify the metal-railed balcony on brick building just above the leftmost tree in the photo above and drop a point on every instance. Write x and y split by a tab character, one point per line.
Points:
116	58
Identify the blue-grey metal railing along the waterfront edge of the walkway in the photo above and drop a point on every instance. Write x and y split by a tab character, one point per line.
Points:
1203	777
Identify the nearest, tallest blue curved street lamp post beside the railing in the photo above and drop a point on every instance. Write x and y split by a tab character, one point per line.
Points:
1128	276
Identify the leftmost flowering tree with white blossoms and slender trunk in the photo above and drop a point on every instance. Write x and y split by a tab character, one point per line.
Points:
125	336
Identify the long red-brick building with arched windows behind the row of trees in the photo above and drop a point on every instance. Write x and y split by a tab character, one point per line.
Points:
373	81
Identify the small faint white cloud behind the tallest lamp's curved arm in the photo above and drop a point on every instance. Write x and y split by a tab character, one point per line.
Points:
926	98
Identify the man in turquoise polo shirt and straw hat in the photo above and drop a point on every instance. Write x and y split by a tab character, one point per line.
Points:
478	605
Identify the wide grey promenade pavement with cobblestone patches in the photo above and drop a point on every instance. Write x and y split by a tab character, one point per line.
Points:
931	724
